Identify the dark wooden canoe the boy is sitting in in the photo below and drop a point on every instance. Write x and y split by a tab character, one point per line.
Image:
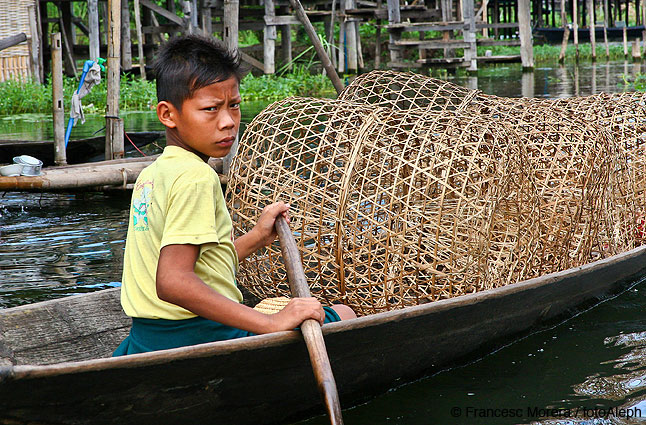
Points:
53	367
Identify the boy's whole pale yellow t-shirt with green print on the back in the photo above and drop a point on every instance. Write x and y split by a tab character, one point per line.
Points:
176	200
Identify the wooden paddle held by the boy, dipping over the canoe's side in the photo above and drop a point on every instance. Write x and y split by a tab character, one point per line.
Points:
311	329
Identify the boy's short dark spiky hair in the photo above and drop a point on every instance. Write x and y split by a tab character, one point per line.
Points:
188	63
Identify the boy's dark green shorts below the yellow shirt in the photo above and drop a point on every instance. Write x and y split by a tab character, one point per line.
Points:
160	334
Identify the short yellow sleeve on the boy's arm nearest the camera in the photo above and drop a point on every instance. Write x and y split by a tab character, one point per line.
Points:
190	217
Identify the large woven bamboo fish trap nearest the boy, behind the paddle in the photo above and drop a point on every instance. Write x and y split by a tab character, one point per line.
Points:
396	208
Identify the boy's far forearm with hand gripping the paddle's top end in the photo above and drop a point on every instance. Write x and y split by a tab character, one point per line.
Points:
263	232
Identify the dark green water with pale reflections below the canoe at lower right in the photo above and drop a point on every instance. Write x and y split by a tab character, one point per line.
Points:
592	361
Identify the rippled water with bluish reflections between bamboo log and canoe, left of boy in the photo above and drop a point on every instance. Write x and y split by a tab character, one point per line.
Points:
53	245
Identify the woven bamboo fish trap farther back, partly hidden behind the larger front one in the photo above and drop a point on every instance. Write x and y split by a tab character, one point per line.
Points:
572	128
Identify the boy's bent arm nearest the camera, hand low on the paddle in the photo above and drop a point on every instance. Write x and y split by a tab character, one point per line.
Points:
178	284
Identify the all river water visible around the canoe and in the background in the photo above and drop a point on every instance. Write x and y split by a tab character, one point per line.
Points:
53	245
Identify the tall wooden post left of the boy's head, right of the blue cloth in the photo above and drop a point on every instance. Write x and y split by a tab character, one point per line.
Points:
114	125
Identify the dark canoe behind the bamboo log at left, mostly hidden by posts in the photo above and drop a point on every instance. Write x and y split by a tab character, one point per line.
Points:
78	151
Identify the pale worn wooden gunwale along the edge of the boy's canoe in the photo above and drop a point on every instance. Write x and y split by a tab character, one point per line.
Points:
17	372
